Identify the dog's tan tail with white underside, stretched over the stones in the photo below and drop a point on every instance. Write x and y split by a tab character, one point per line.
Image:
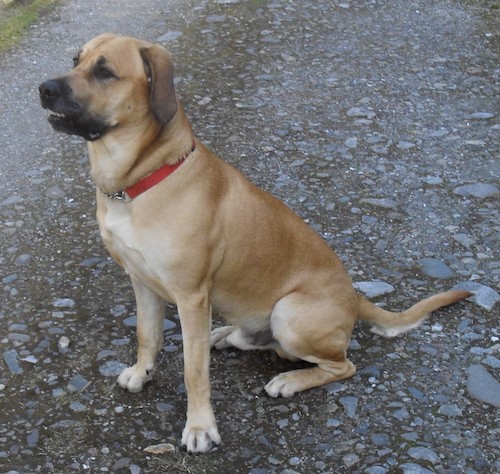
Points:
389	324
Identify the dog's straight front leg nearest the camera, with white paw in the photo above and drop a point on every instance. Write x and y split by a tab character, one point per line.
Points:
200	433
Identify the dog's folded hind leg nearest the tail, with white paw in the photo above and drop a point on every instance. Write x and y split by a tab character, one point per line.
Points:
310	330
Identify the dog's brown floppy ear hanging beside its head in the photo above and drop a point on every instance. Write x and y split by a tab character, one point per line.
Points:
160	72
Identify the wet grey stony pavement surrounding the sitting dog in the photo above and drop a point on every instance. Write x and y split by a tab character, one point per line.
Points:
377	121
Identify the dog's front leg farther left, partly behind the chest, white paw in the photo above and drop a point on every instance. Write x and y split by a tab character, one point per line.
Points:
150	315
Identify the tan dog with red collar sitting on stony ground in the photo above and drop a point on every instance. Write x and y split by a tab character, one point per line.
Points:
191	230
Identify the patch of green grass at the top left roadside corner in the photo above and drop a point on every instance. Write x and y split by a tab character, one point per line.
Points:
16	17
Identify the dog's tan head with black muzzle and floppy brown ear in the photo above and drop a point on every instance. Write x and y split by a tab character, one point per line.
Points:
116	82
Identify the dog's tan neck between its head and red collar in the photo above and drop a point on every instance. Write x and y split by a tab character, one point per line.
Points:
118	161
